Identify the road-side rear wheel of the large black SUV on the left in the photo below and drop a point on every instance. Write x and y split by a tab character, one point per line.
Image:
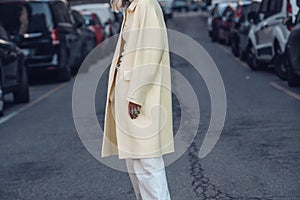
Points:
64	74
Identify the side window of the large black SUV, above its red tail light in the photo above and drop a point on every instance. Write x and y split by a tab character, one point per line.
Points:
61	13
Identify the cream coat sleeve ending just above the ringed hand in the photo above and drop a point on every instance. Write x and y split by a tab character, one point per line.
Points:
149	46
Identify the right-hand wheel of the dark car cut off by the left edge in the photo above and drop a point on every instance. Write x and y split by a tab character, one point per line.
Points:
21	95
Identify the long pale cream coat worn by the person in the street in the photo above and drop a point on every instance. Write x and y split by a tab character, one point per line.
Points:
143	78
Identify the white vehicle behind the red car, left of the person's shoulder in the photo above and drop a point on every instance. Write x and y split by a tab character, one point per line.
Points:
105	14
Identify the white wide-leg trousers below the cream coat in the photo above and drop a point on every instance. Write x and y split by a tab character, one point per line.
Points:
148	178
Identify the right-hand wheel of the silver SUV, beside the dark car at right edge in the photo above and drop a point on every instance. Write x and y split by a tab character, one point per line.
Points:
280	64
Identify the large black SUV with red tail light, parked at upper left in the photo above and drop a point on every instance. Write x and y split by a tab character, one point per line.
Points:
45	31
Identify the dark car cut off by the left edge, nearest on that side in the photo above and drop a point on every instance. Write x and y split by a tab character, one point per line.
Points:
13	72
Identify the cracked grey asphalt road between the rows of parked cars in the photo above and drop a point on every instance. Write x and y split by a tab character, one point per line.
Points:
256	157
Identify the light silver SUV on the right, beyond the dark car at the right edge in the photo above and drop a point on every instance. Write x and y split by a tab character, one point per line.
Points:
268	35
